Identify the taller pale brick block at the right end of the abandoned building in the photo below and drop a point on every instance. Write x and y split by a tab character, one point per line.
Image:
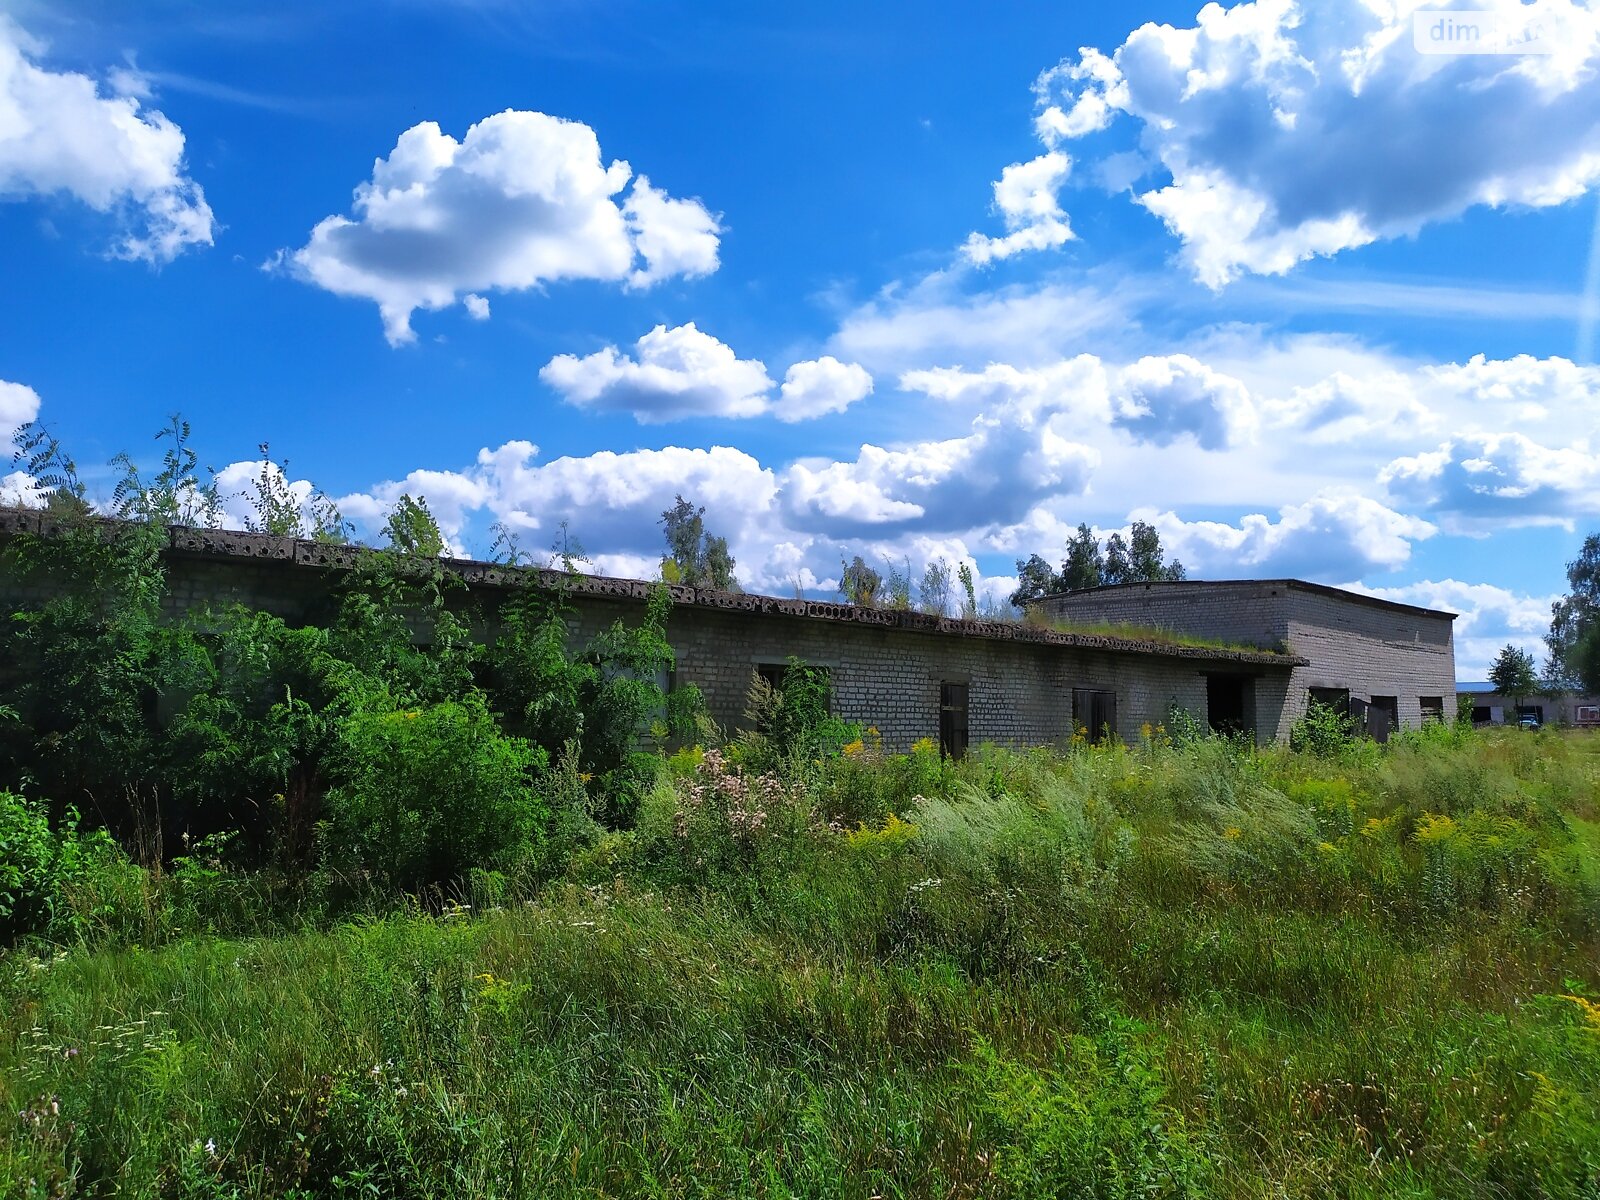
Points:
1391	665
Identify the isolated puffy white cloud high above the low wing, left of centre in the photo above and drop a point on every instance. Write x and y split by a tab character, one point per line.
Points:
524	199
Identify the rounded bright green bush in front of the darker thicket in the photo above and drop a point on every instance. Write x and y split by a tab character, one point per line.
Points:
431	793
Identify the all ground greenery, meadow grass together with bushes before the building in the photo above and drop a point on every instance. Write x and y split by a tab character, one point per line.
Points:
386	906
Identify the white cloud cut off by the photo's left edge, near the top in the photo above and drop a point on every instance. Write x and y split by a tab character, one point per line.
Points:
62	134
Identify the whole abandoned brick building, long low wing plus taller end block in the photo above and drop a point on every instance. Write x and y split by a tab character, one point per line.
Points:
916	676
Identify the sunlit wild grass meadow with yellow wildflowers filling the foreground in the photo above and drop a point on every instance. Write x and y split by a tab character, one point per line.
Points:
1166	969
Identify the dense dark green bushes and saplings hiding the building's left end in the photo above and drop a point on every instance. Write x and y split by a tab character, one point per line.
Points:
375	743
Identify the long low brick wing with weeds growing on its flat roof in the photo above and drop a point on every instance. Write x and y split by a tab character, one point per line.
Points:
908	674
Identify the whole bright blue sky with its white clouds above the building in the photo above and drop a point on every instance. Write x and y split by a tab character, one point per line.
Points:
900	281
